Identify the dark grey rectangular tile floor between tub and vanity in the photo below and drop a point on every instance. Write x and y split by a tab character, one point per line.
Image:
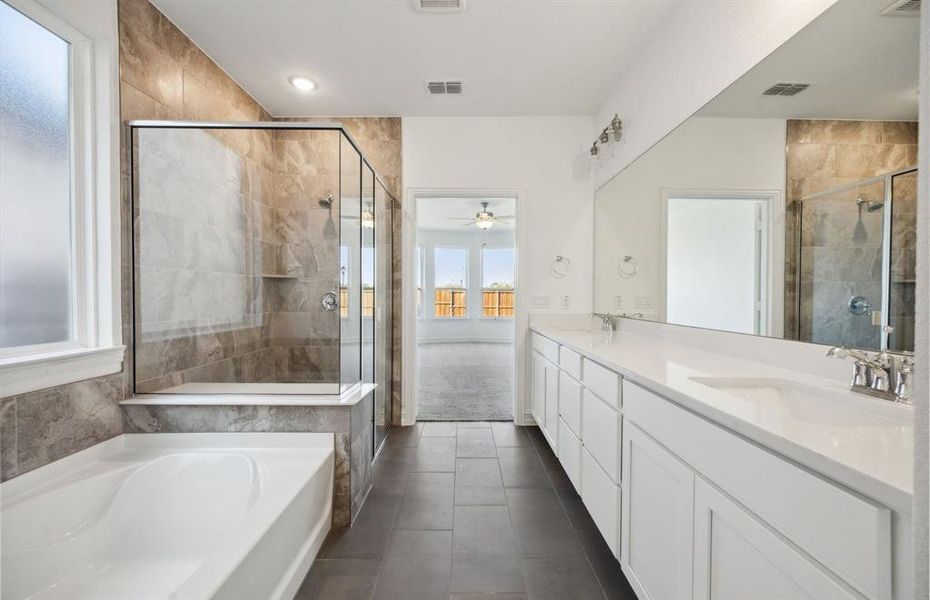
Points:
461	511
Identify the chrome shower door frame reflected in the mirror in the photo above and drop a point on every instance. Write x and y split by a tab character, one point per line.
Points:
887	180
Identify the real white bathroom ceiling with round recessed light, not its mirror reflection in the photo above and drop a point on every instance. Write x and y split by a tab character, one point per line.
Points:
372	57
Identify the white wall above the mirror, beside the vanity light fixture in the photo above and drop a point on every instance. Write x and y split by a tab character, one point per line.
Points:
701	49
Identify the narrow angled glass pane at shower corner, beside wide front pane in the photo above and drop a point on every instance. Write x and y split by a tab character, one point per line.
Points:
350	275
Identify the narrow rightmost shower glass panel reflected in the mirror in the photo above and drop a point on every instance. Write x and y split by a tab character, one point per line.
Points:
903	267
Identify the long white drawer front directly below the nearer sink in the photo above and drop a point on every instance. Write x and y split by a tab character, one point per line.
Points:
846	533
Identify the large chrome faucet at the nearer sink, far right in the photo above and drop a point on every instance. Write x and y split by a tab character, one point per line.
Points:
873	374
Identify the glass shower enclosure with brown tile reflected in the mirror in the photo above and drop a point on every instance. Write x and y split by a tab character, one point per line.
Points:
856	263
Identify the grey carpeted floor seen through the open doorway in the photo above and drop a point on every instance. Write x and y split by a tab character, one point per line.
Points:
465	382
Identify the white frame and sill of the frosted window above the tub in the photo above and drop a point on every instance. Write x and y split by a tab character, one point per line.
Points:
96	347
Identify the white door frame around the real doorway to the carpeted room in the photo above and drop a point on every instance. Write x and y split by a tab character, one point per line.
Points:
408	289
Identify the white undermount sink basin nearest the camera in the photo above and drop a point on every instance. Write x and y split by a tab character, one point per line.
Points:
806	402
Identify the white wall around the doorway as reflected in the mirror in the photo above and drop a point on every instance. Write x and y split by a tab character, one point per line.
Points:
702	154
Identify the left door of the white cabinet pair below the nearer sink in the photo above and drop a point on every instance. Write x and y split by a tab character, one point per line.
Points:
657	519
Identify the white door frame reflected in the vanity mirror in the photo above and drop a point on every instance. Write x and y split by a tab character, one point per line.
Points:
774	282
